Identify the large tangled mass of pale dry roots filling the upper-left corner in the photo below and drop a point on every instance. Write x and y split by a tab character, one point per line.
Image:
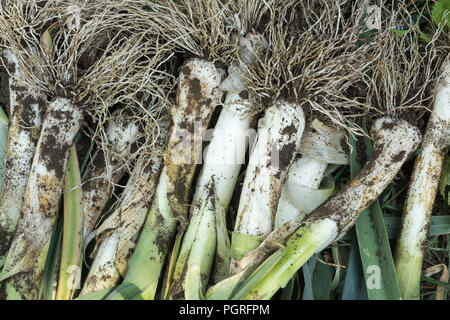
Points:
95	54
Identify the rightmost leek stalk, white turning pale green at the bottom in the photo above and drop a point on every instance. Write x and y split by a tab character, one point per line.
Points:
422	191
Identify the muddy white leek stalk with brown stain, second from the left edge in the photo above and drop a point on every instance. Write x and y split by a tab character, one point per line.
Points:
41	200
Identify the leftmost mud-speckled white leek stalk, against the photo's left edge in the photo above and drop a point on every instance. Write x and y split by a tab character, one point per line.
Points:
26	107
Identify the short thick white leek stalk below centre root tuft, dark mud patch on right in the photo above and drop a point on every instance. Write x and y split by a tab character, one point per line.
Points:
278	139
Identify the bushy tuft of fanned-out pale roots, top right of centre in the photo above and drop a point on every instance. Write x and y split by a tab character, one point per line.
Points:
314	59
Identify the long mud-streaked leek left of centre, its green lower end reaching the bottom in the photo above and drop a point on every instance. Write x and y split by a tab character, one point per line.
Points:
198	95
